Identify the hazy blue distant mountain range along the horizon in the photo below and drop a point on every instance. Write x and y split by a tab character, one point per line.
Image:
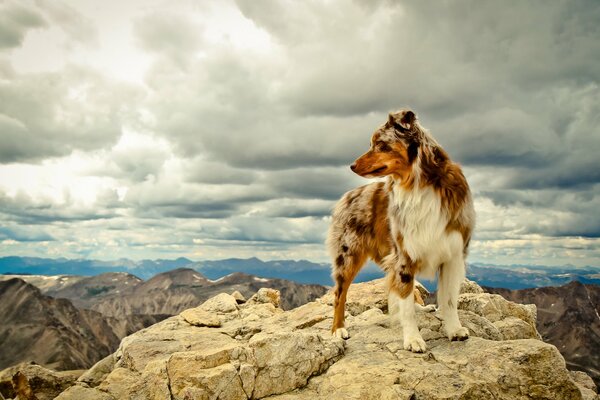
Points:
302	271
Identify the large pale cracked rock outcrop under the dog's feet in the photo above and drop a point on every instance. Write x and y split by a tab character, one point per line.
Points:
260	351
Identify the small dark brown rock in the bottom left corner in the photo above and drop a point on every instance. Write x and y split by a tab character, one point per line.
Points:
43	383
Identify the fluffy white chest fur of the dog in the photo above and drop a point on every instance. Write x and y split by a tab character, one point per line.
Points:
419	217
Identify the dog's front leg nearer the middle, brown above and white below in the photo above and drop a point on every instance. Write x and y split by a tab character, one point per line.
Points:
401	301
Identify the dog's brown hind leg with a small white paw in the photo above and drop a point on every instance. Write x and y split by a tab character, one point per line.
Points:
345	269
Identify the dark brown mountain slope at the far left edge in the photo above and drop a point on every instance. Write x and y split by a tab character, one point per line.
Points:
50	331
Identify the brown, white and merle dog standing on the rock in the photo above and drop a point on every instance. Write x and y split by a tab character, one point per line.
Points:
418	222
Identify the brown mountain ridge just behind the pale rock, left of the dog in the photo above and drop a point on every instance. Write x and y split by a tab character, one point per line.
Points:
168	293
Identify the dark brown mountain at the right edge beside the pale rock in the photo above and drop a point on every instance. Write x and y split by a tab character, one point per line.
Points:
568	317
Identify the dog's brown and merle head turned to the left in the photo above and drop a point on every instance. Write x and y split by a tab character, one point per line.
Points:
394	148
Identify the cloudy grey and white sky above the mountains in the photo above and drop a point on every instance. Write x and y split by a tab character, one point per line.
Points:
216	129
